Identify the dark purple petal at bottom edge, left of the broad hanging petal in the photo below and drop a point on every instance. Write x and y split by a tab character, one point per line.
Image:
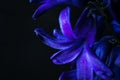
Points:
68	75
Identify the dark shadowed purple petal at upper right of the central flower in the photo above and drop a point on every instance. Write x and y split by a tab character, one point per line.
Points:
84	24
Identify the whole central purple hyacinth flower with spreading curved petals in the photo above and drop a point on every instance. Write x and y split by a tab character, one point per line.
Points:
75	44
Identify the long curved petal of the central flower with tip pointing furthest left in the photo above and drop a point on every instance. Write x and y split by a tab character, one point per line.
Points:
52	42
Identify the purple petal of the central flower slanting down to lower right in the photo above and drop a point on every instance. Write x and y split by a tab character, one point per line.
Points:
100	68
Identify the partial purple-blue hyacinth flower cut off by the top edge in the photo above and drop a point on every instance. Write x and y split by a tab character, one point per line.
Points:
48	4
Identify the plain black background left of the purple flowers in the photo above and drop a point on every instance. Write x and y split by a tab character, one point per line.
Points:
22	55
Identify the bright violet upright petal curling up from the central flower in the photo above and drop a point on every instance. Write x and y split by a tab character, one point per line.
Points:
65	24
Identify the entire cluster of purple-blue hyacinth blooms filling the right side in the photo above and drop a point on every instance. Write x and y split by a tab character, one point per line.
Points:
95	58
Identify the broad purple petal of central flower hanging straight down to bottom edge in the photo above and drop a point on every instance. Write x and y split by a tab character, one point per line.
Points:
84	68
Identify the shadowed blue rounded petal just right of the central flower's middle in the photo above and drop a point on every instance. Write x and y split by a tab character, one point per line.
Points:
102	47
